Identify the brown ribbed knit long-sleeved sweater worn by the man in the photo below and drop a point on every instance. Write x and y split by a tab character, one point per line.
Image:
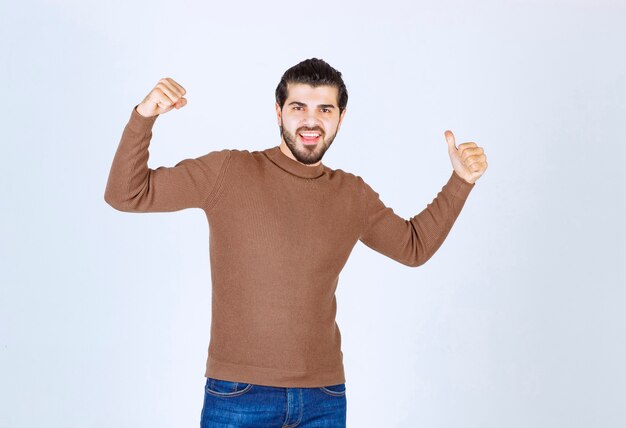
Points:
280	234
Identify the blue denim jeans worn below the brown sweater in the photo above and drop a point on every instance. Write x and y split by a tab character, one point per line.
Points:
236	405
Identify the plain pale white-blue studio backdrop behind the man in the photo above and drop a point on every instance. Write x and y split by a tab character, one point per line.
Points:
517	321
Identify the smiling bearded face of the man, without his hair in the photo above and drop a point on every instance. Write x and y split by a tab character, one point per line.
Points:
309	122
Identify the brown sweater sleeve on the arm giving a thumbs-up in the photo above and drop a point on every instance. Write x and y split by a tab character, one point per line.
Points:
412	242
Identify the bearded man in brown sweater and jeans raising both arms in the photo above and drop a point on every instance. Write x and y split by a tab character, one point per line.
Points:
282	225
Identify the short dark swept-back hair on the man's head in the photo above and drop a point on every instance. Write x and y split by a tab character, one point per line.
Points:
314	72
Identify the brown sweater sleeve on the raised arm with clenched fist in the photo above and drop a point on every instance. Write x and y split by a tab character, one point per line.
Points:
134	187
